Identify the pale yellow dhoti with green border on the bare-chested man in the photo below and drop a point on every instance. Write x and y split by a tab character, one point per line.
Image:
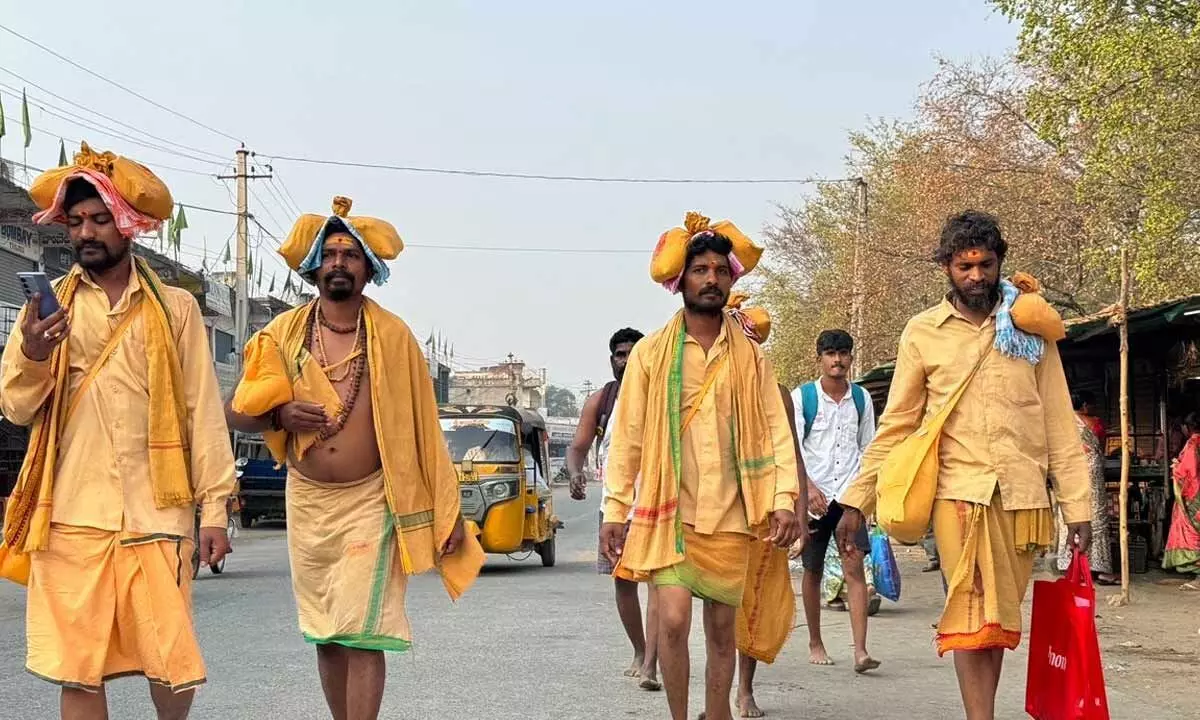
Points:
346	568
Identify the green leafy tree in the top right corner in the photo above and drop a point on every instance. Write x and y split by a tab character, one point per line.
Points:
1118	88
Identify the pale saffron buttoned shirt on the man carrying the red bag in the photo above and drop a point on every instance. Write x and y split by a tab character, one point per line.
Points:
1012	428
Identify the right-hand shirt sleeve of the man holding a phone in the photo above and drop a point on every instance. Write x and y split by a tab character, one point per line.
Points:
213	471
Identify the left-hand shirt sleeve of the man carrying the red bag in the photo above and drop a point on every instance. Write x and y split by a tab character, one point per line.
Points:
902	417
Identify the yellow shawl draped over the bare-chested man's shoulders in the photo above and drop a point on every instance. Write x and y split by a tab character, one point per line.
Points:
419	479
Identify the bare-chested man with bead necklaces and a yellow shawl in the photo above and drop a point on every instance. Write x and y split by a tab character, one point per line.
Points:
344	397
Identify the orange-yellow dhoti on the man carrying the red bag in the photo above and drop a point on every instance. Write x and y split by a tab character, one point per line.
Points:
987	556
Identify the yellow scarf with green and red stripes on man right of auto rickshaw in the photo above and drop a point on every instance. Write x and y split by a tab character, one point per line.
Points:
656	537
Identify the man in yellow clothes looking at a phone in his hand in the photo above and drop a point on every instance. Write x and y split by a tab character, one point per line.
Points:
128	440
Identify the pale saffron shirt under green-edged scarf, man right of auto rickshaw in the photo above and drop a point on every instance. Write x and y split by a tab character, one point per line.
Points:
710	496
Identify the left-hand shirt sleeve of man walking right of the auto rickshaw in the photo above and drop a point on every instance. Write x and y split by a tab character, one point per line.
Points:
626	453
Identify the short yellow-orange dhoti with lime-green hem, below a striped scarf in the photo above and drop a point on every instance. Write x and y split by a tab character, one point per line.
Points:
715	567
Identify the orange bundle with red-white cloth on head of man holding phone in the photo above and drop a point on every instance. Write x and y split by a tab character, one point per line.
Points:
136	197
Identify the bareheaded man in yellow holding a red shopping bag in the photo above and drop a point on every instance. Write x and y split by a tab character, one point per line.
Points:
1012	425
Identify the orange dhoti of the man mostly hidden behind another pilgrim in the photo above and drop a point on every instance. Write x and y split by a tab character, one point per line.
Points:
769	604
